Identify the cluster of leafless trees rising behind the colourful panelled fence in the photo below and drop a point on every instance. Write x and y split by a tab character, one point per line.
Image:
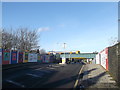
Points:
21	39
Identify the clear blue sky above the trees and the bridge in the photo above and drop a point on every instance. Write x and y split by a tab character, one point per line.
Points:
84	26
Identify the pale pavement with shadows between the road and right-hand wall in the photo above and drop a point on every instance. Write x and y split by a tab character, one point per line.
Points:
96	77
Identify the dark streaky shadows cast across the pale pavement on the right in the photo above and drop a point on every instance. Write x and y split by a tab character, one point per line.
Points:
88	82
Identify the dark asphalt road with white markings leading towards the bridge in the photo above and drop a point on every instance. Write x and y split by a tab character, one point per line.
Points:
42	76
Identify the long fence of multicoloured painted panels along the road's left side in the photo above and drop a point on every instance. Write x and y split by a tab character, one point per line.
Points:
14	57
